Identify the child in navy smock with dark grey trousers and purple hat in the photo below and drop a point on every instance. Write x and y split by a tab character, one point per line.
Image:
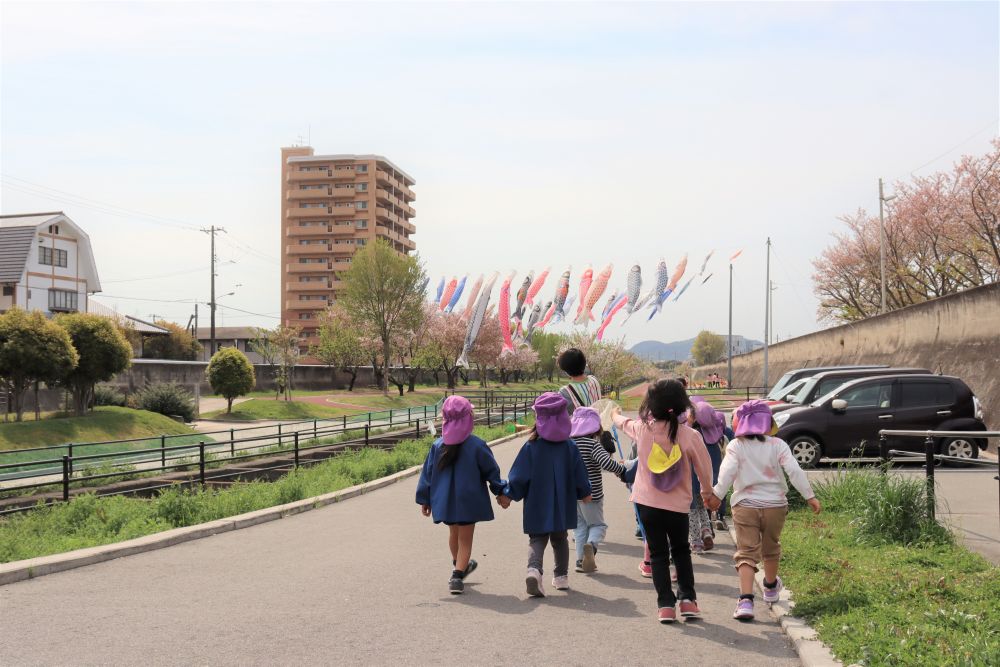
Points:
550	476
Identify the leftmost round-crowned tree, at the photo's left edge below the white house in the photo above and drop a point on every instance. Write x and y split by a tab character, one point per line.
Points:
32	350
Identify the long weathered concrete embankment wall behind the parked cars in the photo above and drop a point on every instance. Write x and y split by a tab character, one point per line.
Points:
955	335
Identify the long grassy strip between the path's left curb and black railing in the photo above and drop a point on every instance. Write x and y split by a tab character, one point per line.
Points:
88	521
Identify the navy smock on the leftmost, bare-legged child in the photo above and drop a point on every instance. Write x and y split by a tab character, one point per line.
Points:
458	493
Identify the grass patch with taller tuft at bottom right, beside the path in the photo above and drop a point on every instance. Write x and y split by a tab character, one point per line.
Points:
884	589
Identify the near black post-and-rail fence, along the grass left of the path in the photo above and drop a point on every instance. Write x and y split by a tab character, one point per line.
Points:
180	458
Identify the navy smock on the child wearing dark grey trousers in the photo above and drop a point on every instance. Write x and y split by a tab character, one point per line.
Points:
550	477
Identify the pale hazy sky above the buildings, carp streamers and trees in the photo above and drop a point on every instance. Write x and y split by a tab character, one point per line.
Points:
539	134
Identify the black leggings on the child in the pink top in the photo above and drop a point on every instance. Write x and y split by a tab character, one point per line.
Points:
667	535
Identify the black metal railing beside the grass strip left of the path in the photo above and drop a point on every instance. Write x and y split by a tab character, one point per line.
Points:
193	463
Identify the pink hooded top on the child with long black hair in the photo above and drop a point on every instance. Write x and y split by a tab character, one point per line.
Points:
678	499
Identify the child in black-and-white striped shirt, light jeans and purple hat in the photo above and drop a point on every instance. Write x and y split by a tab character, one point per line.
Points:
590	525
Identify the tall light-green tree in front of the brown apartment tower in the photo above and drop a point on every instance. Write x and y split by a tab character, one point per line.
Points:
383	291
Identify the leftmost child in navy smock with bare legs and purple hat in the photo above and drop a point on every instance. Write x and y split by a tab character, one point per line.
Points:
453	483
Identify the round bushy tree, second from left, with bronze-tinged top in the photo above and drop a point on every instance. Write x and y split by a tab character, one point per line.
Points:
104	352
